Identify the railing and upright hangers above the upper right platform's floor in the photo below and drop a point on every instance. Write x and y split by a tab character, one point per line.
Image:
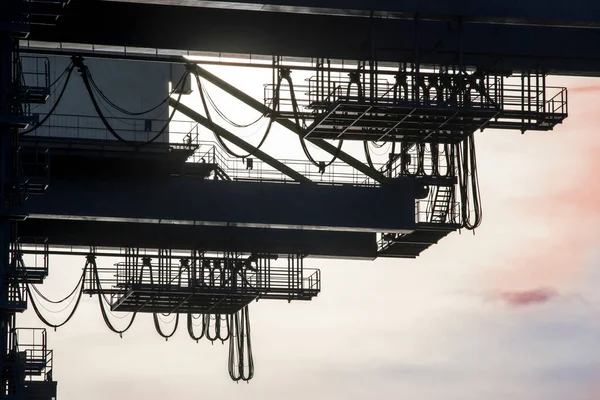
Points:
524	100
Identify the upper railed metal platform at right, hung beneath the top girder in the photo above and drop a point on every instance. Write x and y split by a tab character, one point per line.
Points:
434	105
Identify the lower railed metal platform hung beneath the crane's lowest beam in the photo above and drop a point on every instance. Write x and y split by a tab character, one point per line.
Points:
203	284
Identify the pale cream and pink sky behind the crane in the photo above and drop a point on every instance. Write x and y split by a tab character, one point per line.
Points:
509	311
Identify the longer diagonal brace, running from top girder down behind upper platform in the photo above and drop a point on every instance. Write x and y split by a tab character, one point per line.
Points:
292	126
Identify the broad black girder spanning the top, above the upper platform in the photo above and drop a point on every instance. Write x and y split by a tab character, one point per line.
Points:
558	49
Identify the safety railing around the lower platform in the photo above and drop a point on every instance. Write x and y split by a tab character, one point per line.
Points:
210	276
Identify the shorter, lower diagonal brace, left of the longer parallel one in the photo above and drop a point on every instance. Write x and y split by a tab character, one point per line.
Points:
281	167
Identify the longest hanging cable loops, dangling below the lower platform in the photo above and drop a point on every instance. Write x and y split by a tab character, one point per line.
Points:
241	359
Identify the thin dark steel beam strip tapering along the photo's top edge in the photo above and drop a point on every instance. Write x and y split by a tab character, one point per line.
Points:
532	12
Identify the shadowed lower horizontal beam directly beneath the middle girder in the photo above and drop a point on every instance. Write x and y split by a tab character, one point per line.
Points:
79	235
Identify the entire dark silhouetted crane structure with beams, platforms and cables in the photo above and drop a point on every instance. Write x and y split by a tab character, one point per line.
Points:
422	81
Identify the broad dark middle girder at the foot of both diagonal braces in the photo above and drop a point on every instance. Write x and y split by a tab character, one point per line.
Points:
190	201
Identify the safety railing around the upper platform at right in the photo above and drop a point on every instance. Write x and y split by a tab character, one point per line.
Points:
439	88
